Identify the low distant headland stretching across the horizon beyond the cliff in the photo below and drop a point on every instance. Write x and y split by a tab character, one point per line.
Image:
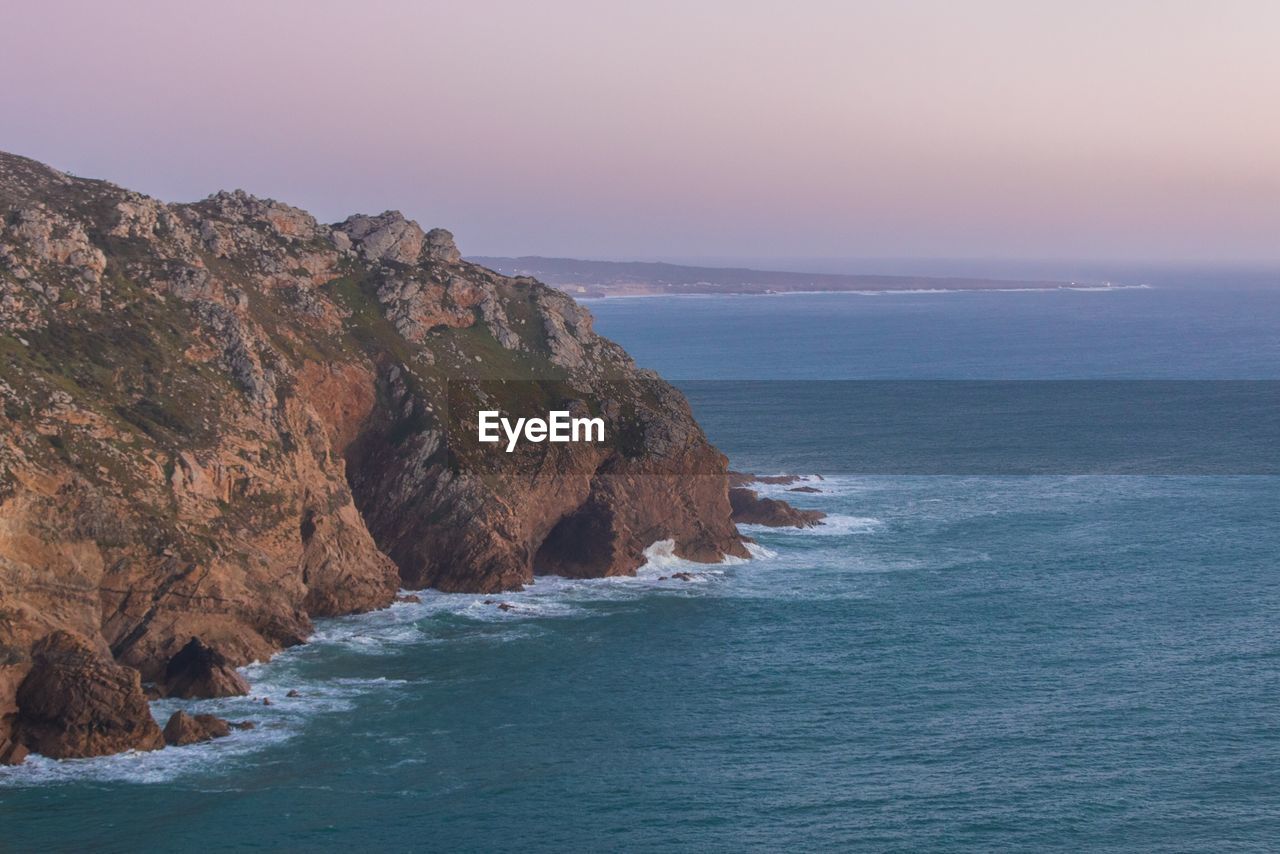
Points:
646	278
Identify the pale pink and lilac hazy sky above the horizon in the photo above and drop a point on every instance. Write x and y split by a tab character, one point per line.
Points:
1126	130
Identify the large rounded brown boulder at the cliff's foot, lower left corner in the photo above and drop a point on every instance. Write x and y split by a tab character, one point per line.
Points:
79	704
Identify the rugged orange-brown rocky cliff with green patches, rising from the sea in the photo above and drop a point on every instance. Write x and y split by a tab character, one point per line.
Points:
225	419
